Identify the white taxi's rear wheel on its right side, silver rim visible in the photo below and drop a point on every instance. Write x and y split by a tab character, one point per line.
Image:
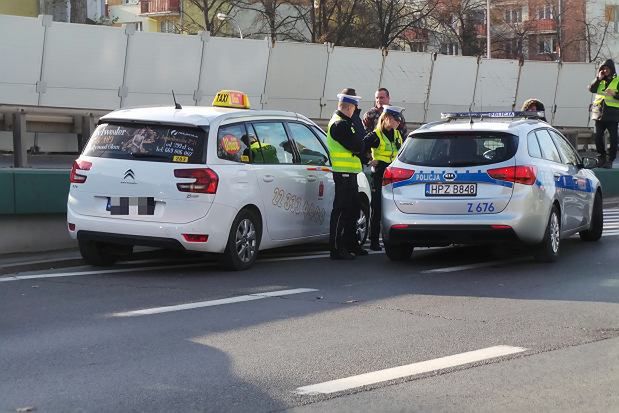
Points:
243	241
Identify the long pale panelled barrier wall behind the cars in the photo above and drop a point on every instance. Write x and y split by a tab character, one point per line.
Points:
57	64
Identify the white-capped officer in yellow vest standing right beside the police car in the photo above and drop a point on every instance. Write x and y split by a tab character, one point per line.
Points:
385	141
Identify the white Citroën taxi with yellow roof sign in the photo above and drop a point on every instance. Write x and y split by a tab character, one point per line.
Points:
223	179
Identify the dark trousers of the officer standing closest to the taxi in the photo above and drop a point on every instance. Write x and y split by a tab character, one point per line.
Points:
345	213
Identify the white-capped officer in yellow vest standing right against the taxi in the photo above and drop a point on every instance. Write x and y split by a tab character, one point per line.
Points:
345	148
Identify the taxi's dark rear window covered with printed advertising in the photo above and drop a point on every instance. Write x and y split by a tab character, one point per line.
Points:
154	143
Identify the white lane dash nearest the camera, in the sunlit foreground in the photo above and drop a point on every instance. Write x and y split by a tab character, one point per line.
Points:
393	373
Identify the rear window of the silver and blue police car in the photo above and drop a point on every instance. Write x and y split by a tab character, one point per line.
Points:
459	149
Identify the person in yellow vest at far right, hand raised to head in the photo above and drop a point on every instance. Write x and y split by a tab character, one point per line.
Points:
605	111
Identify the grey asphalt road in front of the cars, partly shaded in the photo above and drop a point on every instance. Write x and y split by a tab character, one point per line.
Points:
71	340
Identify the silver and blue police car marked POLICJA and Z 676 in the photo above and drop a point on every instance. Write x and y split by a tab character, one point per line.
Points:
487	178
